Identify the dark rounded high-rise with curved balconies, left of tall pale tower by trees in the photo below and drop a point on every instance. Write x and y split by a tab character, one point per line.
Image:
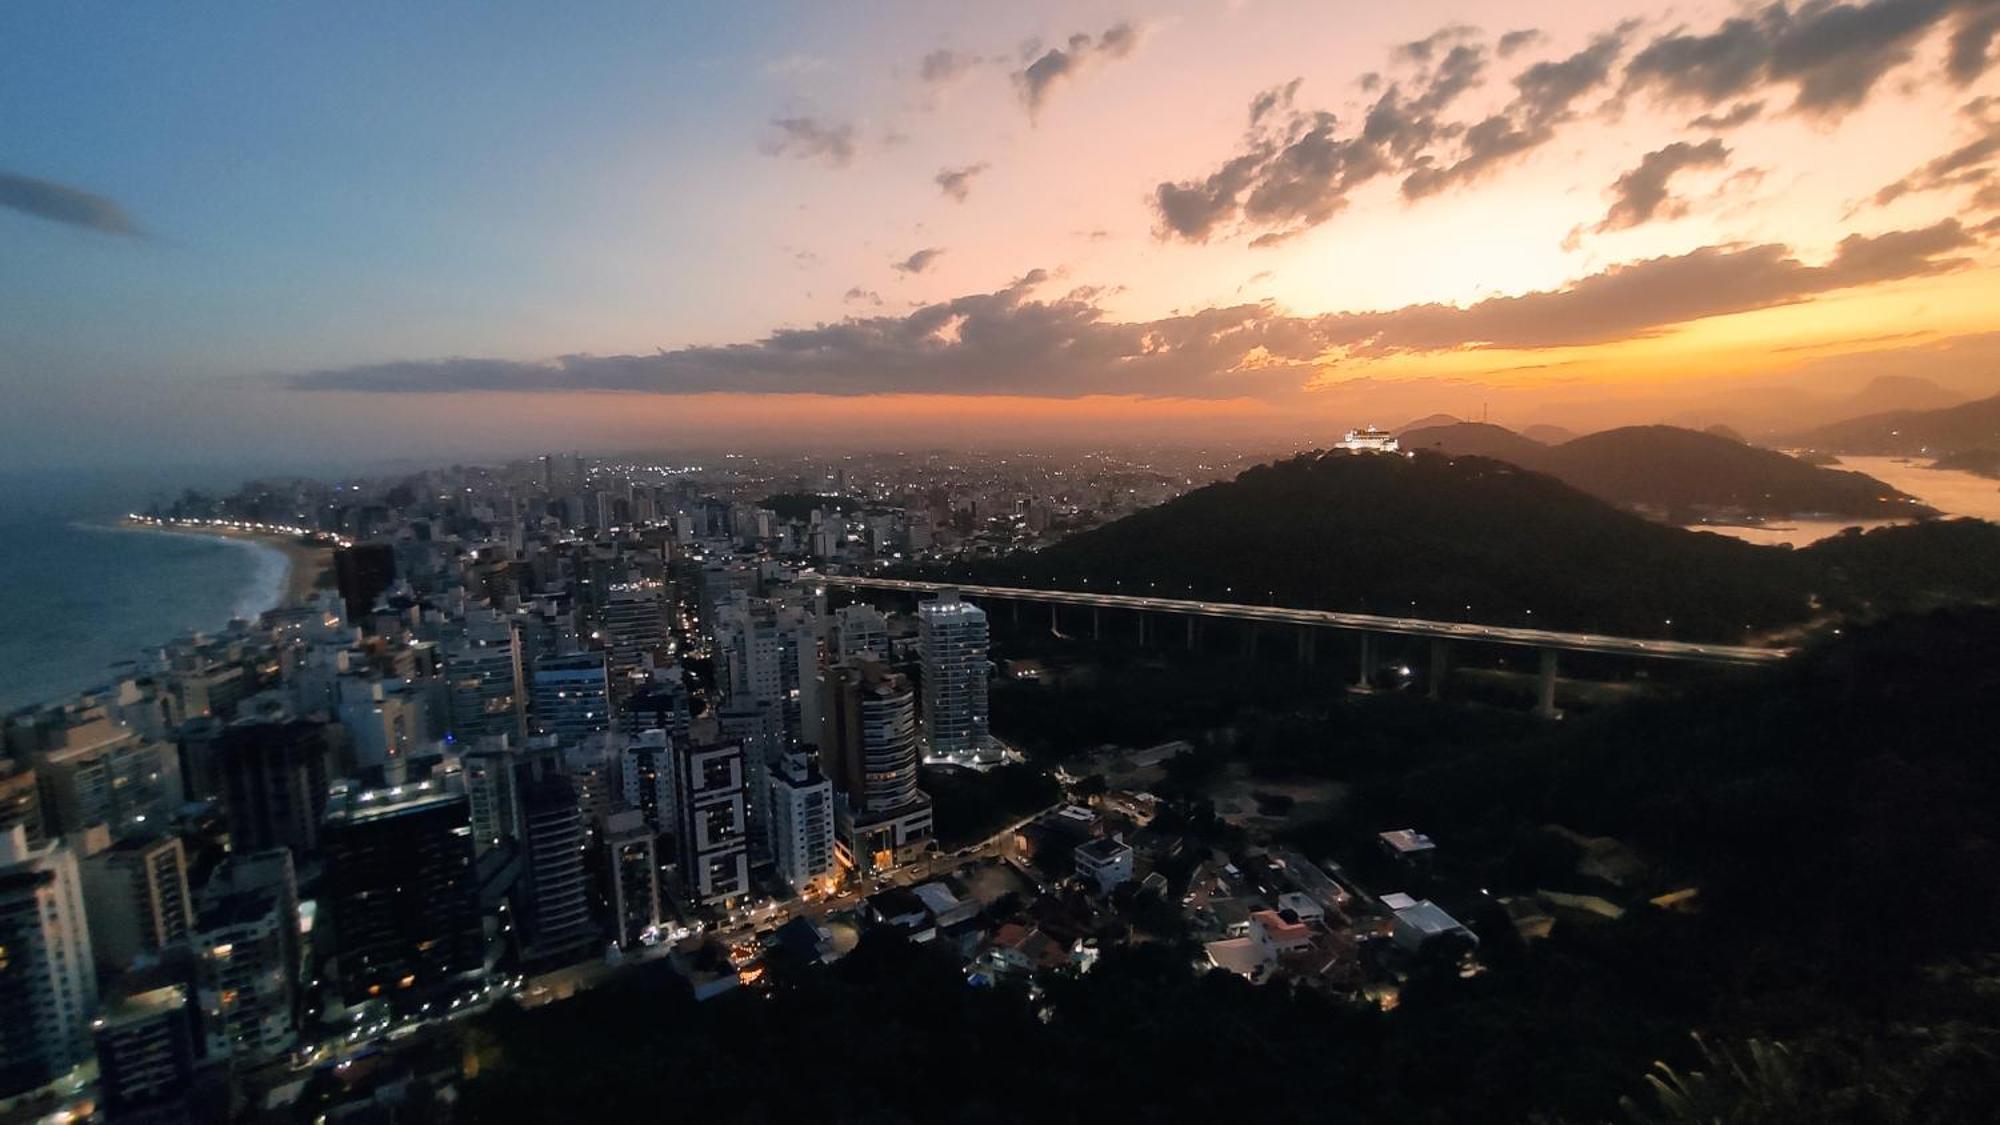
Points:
869	750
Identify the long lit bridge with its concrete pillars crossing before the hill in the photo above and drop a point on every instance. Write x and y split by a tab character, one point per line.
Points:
1367	626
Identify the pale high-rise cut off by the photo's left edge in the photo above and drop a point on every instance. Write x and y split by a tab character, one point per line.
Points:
49	990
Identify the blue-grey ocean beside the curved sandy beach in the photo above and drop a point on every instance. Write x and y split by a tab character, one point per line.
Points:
81	596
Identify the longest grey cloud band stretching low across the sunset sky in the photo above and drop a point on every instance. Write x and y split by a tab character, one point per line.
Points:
1013	343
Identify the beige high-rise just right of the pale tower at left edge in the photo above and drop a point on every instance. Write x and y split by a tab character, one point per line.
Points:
135	896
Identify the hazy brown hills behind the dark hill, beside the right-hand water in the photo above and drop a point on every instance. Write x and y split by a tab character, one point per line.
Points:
1681	475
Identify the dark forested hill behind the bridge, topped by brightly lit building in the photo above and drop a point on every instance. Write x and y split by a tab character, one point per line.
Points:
1477	539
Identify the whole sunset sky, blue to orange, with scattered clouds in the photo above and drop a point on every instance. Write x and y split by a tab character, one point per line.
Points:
287	233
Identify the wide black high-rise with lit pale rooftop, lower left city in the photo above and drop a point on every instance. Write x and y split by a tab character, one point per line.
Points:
401	894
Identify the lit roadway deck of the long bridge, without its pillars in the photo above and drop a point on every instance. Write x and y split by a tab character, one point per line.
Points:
1351	622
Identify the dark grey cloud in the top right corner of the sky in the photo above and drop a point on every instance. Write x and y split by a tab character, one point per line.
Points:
1831	55
